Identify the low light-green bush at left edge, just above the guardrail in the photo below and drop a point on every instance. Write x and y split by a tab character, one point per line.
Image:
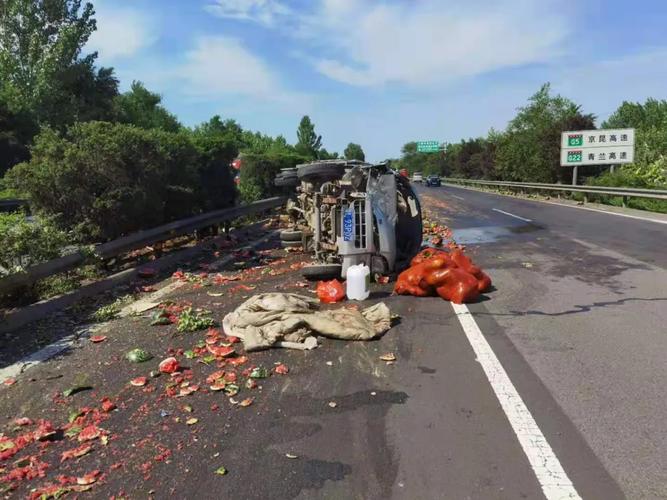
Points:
27	243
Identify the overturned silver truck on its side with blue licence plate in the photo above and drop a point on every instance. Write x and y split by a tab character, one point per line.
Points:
351	212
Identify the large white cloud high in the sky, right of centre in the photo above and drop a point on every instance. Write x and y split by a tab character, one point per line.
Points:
429	43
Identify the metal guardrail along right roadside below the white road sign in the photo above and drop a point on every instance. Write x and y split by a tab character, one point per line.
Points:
624	192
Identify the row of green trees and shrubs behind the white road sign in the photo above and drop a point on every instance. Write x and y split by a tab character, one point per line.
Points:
529	149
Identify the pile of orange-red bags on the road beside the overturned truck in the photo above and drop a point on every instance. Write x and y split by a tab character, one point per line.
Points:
451	275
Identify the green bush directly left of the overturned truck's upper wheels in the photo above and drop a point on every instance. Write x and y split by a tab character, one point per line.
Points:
258	172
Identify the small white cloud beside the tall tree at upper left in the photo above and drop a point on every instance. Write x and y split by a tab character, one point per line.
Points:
121	32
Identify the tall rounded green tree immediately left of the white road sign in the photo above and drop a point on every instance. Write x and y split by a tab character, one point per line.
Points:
530	148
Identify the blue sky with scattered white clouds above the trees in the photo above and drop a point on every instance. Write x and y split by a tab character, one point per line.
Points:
383	72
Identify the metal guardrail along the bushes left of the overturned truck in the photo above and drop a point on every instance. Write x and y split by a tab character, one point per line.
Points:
135	241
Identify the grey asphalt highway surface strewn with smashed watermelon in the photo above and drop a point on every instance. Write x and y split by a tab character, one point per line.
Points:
552	386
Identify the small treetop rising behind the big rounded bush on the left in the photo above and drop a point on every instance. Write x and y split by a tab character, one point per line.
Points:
141	107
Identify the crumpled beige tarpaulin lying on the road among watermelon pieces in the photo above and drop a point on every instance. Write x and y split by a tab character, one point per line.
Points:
270	318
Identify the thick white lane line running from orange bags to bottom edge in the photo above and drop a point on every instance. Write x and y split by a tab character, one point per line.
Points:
548	470
